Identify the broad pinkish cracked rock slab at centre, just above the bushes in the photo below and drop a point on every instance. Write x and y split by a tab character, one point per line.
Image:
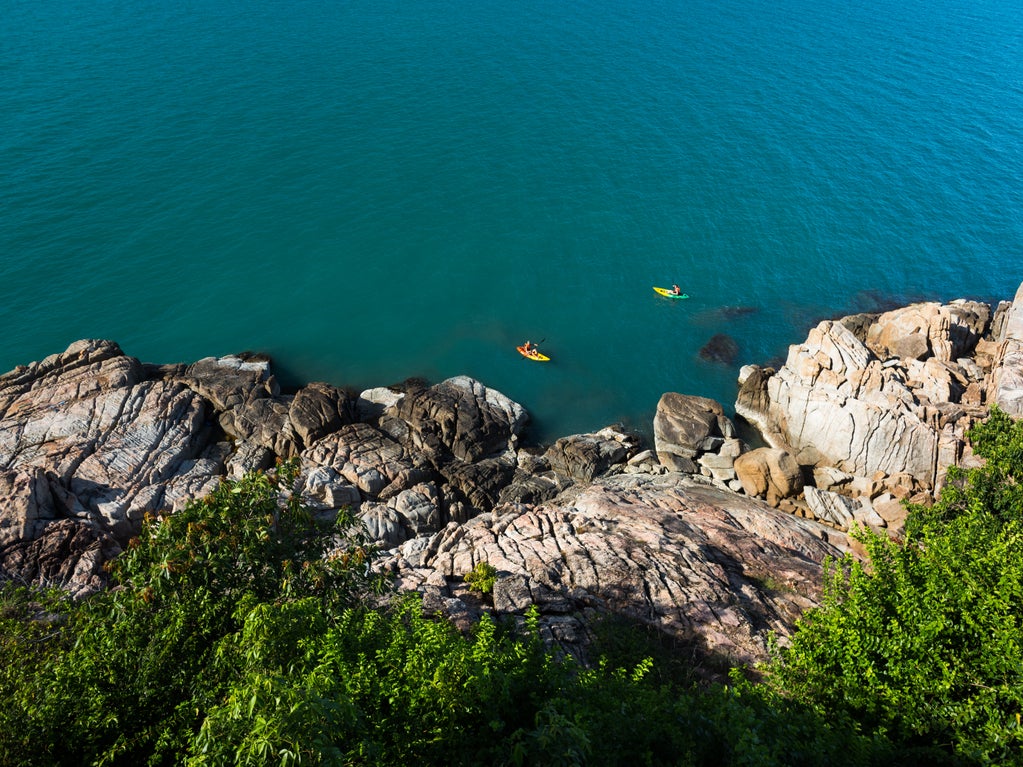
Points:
703	565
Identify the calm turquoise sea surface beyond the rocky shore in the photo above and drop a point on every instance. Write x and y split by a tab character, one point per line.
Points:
376	191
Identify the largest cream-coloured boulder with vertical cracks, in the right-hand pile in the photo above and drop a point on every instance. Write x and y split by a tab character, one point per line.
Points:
836	402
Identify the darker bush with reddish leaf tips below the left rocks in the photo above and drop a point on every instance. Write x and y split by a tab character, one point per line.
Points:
135	670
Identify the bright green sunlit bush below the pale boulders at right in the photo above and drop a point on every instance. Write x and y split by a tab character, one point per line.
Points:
925	643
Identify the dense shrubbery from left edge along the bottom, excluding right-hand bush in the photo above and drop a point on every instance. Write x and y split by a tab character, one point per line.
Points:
241	631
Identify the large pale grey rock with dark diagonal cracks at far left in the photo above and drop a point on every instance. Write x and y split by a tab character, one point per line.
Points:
108	440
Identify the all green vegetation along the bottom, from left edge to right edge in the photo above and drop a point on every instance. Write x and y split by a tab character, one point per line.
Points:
244	631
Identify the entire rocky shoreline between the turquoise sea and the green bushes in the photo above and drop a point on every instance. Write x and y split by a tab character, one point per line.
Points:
700	536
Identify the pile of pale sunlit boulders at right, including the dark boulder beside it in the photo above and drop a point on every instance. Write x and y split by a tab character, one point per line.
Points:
870	412
